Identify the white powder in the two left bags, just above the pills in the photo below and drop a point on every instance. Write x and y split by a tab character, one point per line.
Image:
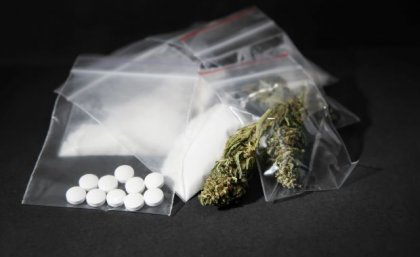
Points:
128	130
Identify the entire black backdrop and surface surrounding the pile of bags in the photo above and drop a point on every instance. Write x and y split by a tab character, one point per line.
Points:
373	48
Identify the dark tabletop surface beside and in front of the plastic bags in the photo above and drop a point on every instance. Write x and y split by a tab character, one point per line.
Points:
376	212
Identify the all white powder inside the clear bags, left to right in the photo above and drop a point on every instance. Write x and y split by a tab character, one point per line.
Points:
157	132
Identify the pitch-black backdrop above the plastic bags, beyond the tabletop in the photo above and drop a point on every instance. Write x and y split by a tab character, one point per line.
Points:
35	31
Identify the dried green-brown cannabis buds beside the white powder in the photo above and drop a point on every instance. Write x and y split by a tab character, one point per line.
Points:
282	126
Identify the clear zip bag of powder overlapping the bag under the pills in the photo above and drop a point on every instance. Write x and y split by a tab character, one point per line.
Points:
136	101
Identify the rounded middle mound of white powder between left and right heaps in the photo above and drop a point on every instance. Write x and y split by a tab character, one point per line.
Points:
147	126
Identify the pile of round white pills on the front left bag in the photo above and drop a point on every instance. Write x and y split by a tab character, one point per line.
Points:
96	191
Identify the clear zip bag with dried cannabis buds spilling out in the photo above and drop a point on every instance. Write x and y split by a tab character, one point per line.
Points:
298	147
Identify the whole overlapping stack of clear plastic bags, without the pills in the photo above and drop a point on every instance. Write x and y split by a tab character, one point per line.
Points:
169	103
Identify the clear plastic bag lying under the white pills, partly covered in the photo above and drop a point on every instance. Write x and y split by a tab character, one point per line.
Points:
57	171
